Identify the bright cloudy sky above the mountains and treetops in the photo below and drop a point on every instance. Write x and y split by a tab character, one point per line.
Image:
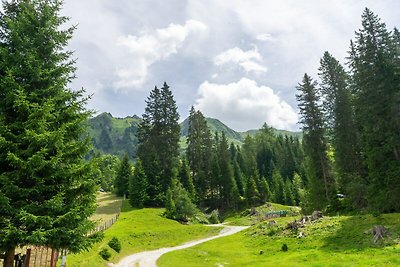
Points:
238	61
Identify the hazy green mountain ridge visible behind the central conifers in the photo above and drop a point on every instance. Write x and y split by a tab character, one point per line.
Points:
118	135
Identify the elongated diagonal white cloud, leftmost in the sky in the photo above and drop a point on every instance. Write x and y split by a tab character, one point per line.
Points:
145	50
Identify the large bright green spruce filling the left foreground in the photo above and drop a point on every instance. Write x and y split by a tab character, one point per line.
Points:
47	190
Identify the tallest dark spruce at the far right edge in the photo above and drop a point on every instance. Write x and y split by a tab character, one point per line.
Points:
374	62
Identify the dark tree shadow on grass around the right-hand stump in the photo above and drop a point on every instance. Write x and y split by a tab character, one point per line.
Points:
354	233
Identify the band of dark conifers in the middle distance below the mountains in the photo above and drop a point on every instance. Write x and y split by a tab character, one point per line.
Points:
213	174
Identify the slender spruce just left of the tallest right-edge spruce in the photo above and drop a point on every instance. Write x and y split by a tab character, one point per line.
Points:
341	125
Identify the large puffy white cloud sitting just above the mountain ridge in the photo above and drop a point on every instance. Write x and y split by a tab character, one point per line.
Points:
245	105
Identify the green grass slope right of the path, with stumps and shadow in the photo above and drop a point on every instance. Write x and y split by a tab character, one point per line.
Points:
333	241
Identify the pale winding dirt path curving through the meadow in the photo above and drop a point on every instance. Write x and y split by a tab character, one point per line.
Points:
149	258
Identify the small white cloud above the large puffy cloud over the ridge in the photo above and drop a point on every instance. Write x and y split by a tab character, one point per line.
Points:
248	60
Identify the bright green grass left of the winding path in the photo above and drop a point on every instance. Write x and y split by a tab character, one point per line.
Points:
140	230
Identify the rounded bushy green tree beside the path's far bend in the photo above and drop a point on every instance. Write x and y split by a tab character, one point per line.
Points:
178	203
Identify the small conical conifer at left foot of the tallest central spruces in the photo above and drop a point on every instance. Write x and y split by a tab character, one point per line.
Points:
138	186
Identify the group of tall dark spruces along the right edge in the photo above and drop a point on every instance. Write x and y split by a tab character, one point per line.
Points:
351	124
